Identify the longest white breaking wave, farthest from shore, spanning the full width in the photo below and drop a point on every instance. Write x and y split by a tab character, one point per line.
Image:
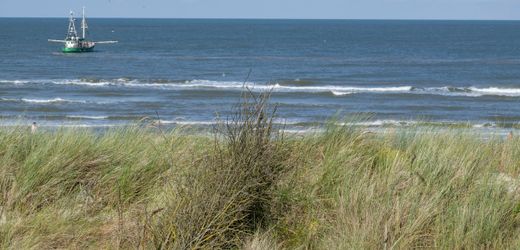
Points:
335	90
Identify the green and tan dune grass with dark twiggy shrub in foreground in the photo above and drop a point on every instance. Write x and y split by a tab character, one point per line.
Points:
250	186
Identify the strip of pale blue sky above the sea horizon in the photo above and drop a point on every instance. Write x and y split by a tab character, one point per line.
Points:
327	9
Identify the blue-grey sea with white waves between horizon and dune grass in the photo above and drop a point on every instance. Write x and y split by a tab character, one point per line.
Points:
192	71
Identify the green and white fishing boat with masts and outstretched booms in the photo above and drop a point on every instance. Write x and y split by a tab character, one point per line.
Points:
74	43
